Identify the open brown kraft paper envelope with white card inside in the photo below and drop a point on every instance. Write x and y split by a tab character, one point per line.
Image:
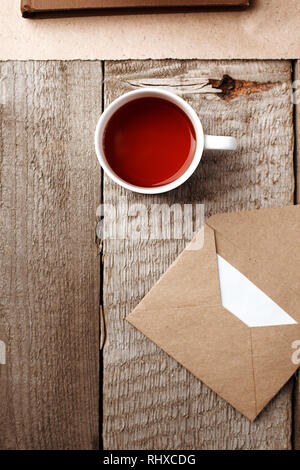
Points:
228	309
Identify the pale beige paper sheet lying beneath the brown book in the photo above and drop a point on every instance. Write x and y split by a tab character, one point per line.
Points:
266	30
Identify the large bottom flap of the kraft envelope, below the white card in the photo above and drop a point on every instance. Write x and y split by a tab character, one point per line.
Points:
212	344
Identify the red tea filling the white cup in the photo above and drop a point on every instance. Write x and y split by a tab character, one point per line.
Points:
149	142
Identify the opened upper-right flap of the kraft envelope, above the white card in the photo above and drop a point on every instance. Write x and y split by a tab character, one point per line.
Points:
269	236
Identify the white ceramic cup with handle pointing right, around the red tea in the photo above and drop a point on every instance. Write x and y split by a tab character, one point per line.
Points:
209	142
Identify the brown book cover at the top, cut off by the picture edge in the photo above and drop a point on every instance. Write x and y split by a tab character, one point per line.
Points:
29	7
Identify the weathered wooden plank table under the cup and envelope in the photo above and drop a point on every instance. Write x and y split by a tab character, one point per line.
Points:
64	386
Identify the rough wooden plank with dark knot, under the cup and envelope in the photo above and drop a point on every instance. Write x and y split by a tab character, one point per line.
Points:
151	402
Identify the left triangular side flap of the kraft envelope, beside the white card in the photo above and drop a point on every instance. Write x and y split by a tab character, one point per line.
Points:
191	280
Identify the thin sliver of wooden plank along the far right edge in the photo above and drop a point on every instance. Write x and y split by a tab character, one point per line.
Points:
296	410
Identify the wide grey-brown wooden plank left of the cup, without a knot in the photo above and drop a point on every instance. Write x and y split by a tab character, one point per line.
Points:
50	188
